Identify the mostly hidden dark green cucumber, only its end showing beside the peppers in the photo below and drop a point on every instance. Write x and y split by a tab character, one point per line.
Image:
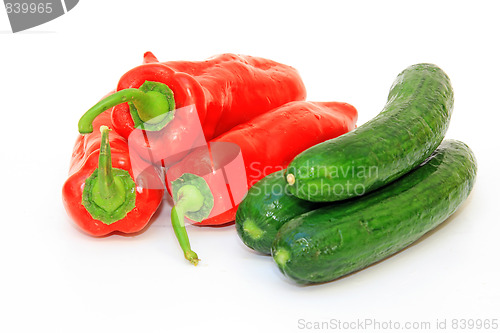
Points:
266	207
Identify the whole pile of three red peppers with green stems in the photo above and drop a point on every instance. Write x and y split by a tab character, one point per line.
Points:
204	131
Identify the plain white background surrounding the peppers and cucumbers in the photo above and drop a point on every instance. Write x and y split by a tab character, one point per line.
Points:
56	279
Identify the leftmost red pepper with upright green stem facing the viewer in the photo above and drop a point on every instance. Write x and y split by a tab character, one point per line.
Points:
100	195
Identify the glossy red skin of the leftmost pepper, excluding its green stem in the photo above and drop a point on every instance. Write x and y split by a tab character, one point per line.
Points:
84	162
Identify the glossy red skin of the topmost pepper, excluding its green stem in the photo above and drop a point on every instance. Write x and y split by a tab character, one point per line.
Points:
227	89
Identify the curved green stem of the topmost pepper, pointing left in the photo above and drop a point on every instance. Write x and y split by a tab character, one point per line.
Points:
150	106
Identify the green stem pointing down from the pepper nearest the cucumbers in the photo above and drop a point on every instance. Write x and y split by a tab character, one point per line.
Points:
190	200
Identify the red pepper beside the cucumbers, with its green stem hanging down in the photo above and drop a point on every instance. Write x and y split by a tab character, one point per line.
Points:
206	184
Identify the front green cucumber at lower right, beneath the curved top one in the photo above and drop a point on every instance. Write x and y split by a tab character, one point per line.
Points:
333	241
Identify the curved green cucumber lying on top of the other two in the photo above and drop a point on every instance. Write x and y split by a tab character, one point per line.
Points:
409	128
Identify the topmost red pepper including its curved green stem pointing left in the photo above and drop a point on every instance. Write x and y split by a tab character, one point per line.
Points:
226	90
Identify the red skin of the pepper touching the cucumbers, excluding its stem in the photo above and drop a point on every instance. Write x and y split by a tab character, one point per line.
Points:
267	143
